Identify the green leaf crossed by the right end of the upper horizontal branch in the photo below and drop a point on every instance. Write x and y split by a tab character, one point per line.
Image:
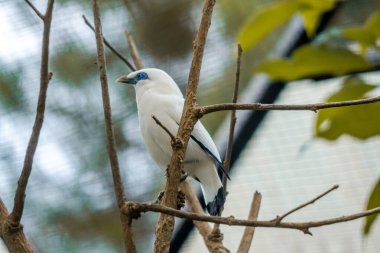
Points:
360	121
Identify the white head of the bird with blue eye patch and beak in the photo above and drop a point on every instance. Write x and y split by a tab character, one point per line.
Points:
150	78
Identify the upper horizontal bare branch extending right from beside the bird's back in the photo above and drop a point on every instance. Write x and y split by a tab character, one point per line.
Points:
203	110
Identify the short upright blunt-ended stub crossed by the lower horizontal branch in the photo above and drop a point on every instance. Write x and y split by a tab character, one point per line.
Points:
246	240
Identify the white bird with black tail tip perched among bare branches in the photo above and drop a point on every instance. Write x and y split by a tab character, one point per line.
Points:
157	94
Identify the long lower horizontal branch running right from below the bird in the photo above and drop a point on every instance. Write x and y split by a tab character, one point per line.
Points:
231	221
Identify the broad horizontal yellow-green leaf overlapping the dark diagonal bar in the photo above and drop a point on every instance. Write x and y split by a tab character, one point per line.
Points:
311	60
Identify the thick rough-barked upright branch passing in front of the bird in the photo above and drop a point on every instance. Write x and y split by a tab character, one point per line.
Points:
165	225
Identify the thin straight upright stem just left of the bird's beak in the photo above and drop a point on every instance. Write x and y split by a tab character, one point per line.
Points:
111	145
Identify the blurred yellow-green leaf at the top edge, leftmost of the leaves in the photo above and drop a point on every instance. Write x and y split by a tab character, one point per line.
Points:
259	26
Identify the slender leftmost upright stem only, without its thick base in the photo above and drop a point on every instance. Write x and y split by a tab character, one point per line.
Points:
19	198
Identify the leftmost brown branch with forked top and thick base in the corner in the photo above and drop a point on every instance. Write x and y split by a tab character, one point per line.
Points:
11	230
